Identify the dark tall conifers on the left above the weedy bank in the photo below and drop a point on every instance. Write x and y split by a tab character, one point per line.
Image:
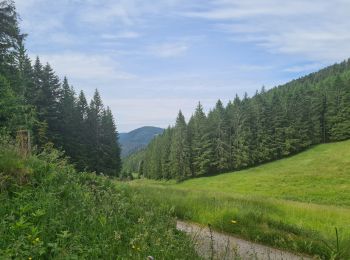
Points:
33	97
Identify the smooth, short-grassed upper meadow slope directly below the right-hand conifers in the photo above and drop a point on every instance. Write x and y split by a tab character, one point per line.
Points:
320	175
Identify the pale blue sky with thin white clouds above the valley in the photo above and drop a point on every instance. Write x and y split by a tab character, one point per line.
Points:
151	58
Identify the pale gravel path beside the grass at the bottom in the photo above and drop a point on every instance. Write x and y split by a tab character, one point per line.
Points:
229	247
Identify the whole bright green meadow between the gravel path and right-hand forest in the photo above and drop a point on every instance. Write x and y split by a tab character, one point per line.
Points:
294	203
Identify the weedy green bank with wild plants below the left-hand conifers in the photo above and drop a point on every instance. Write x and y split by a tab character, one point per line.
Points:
49	211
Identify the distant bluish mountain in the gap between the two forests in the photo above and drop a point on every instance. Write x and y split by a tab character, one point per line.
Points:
137	139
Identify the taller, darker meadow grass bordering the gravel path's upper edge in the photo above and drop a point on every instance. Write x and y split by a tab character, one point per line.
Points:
298	227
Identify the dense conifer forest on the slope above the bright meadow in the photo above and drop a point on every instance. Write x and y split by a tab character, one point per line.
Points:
252	130
